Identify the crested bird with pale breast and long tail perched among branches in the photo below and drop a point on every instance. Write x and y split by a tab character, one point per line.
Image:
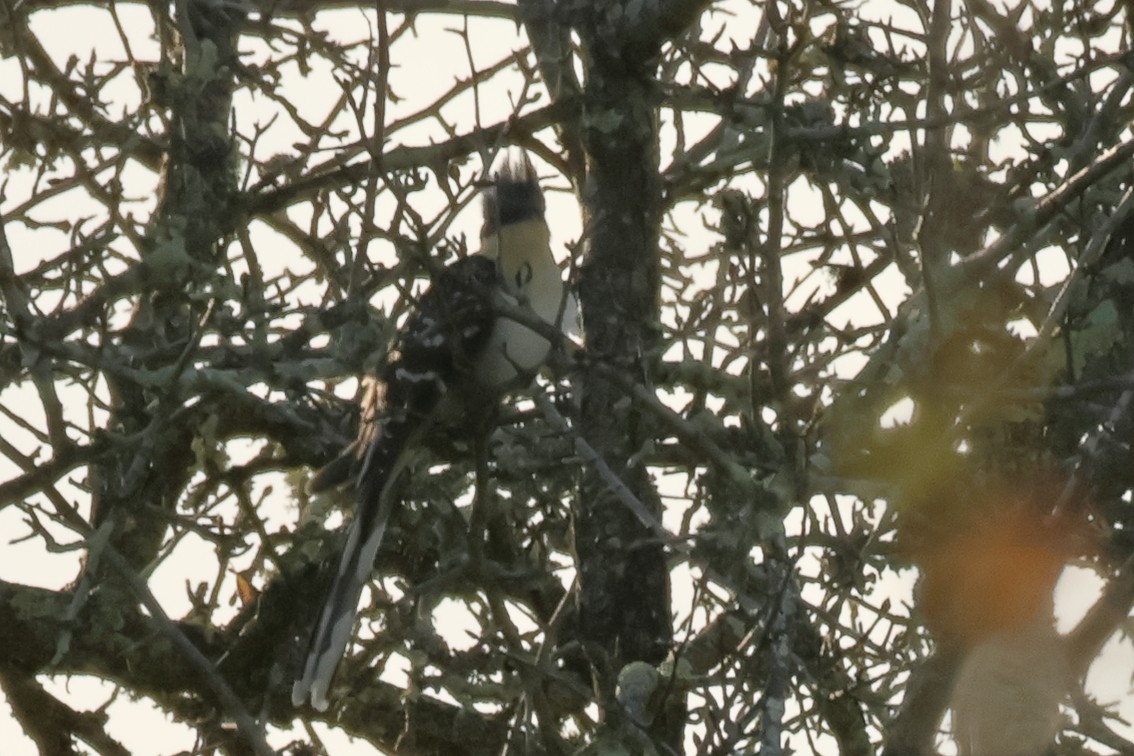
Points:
454	354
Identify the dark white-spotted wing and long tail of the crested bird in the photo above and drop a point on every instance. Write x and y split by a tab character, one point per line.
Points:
435	352
